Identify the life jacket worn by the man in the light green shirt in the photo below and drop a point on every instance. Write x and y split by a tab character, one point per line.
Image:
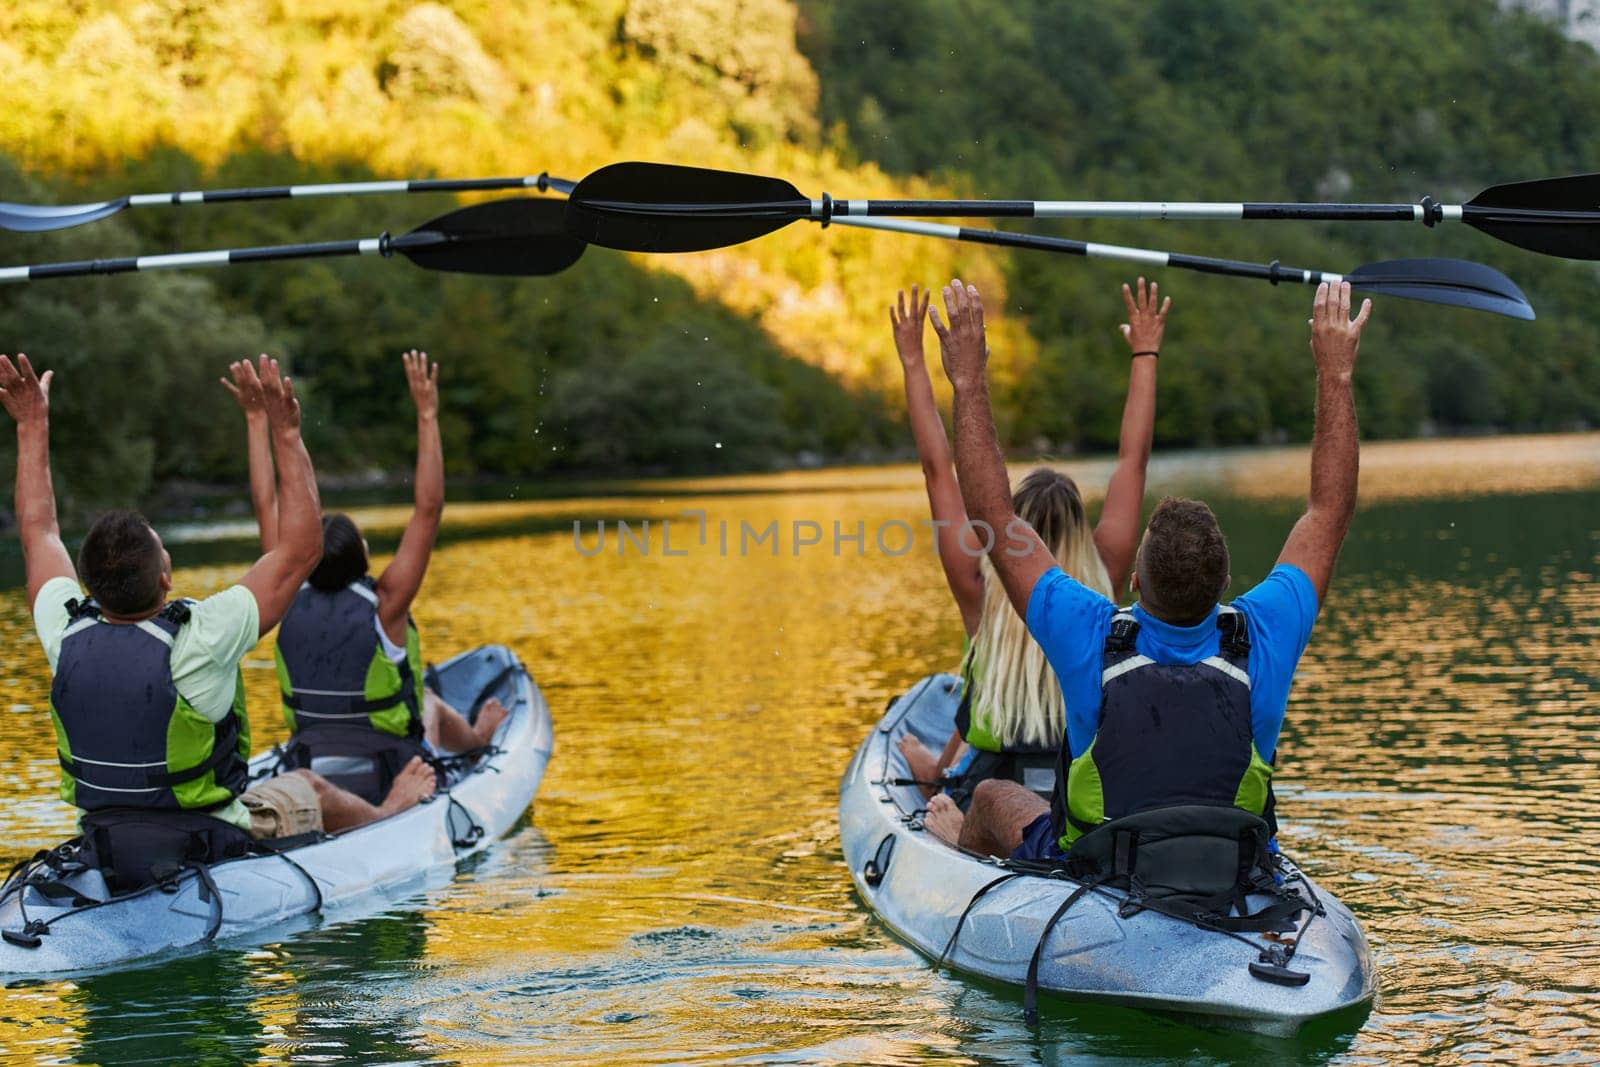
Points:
127	738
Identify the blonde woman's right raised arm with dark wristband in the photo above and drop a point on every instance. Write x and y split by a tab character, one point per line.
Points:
1118	535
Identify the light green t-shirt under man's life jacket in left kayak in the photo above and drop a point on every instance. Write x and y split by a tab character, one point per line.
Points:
222	631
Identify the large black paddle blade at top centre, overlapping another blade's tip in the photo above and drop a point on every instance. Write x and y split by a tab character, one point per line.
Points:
662	207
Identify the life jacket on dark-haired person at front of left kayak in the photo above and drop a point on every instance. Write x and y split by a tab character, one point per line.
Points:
356	714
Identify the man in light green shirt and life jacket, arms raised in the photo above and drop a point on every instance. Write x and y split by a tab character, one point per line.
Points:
148	698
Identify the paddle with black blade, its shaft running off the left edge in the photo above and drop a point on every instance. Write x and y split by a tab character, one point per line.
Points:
505	238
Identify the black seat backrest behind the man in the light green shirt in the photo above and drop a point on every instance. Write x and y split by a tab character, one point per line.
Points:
140	847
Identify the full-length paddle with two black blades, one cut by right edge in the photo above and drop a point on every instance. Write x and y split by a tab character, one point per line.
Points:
689	209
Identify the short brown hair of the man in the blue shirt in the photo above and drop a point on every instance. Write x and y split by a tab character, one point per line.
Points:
1183	562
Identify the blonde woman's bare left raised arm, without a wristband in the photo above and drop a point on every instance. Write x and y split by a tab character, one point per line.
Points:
938	471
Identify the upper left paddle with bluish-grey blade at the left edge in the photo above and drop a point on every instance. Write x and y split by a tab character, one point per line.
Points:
31	218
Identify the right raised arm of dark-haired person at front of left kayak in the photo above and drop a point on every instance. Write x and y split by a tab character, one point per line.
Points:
402	580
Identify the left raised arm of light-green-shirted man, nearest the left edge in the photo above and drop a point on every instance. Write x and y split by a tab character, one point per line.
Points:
26	399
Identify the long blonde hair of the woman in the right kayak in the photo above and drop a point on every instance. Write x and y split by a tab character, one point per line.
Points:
1015	690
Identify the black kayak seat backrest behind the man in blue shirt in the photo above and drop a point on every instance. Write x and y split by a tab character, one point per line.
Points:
1178	852
